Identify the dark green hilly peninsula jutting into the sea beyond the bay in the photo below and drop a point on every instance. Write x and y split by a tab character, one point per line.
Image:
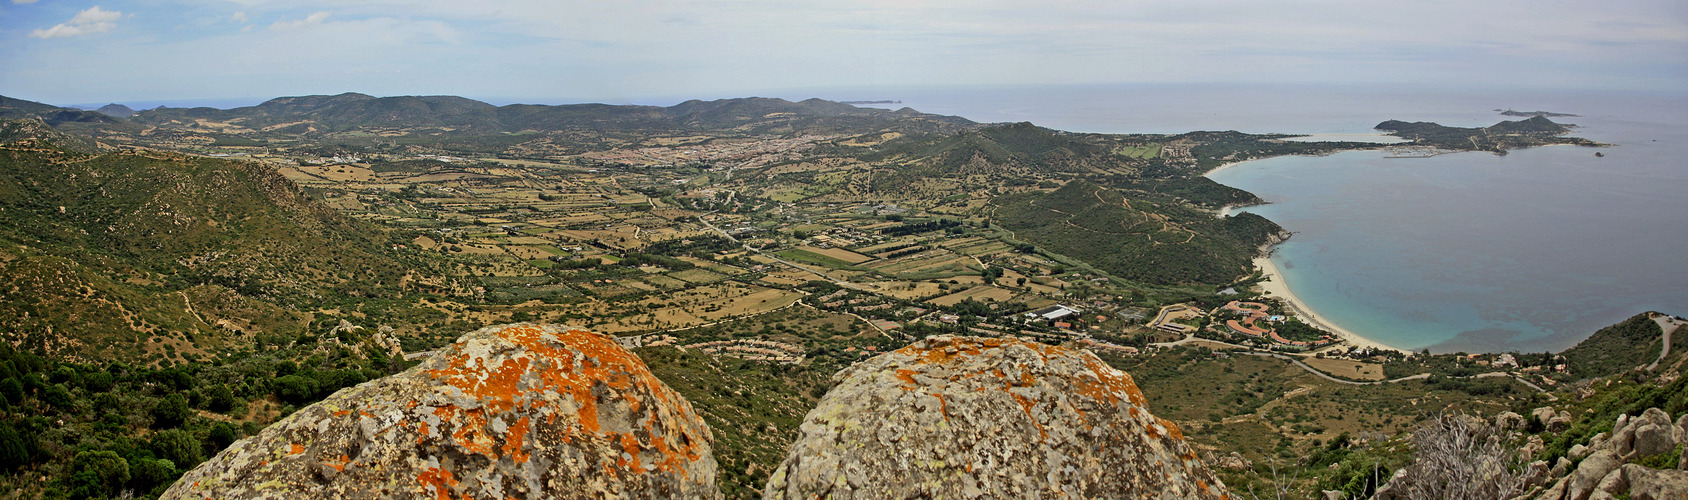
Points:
1498	138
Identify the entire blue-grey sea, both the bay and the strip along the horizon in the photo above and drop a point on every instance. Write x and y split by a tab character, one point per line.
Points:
1464	253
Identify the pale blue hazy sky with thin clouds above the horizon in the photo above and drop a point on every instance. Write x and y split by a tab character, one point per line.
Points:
637	52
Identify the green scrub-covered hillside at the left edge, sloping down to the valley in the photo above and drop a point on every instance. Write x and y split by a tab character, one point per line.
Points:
168	256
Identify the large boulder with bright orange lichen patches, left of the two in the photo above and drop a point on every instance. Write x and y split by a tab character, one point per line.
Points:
514	411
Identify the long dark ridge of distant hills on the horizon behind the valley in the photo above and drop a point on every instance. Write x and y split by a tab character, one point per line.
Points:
462	116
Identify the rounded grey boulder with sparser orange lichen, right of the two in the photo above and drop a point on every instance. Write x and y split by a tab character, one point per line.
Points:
968	418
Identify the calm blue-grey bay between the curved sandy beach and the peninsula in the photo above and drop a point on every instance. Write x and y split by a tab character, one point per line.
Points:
1478	253
